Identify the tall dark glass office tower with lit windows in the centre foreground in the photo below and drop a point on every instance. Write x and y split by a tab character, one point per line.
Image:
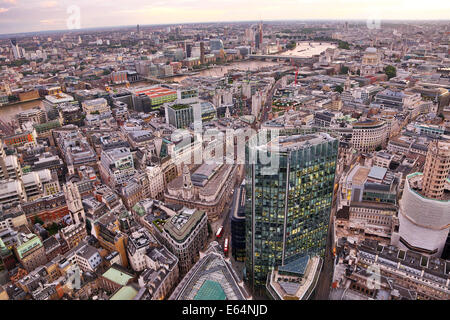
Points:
288	213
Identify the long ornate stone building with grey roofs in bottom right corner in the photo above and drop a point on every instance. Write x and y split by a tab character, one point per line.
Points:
383	272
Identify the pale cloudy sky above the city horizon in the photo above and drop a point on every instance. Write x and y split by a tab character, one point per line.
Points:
40	15
